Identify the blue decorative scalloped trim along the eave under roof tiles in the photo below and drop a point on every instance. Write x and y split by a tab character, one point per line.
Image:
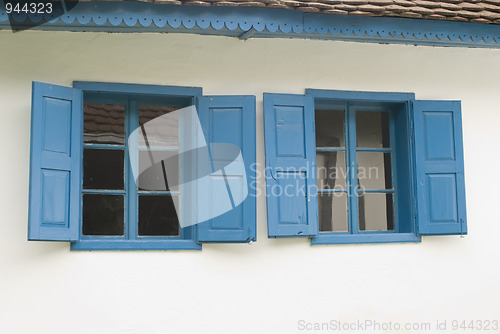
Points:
135	16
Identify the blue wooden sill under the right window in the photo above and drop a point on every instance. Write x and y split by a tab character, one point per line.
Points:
363	238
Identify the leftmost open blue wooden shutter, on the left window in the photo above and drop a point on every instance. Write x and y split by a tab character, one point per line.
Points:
55	166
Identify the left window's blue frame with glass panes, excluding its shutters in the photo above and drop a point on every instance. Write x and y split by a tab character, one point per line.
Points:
117	213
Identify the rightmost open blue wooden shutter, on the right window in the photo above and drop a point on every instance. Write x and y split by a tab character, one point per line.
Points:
439	167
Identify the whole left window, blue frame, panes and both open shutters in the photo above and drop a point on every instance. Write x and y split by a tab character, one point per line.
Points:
82	185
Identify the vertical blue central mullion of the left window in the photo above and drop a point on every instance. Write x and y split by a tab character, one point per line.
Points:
132	155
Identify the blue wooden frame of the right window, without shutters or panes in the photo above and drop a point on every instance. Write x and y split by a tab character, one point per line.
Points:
401	151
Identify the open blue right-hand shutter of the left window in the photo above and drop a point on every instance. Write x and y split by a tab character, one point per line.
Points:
231	120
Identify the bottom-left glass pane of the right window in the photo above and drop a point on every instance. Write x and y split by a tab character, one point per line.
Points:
332	212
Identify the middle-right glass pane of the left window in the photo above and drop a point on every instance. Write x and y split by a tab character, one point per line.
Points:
159	170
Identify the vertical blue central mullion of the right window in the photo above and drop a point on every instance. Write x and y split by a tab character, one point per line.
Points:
352	167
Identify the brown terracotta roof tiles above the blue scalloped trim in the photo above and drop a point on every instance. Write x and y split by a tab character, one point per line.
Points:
478	11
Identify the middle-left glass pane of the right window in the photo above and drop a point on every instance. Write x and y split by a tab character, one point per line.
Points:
332	172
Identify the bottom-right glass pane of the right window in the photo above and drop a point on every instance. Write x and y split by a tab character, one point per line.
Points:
376	212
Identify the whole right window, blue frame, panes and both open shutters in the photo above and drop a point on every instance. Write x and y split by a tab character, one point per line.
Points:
327	142
